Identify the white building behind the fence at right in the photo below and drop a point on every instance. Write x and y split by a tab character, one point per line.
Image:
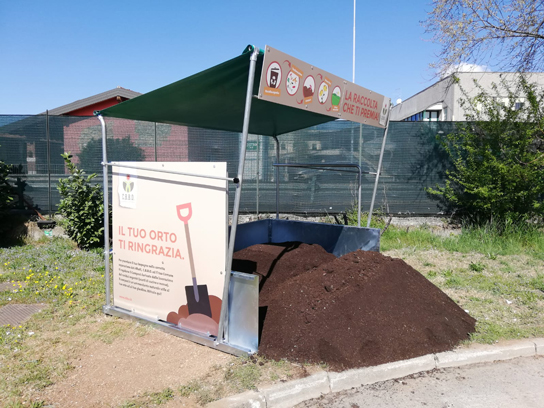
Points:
440	101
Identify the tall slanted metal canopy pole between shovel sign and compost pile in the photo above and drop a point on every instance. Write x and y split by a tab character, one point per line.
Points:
223	333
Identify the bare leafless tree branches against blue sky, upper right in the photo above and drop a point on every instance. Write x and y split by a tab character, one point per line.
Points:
509	33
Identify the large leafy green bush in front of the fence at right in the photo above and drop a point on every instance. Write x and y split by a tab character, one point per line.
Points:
497	156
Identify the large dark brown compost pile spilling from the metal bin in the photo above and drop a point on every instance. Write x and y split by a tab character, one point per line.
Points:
362	309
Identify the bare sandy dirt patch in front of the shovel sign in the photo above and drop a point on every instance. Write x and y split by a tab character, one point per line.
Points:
107	375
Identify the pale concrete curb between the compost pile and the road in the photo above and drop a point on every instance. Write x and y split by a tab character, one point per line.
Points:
287	395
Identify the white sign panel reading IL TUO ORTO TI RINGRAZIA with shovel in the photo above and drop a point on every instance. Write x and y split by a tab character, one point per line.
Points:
170	241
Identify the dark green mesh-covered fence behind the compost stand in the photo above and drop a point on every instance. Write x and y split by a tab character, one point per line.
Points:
412	160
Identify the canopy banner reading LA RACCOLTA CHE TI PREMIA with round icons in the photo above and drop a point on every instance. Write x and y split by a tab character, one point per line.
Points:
292	82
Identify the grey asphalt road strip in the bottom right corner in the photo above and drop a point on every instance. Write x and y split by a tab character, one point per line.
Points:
517	383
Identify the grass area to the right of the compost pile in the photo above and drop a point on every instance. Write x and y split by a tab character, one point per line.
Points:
497	274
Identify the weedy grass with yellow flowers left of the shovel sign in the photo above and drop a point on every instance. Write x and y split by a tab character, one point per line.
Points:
70	282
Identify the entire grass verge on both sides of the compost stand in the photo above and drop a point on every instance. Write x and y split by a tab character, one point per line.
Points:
497	277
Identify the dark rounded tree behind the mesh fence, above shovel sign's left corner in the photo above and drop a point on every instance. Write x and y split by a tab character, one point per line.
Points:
122	149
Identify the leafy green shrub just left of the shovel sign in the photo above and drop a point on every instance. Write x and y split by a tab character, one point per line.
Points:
82	206
